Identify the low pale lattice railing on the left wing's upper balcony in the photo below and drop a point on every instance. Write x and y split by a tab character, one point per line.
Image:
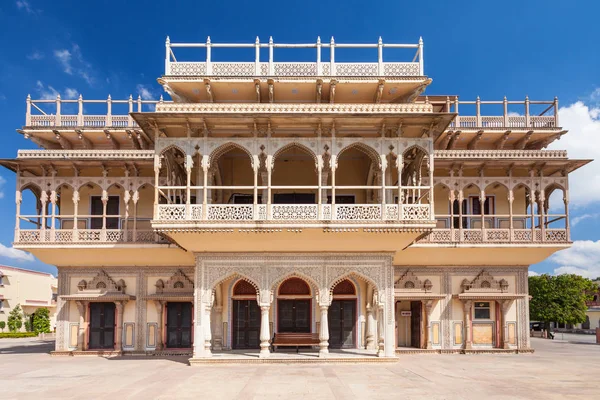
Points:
86	236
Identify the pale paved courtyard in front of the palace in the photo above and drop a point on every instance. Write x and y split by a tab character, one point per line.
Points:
559	369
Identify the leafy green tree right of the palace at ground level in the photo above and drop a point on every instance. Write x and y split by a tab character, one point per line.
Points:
559	298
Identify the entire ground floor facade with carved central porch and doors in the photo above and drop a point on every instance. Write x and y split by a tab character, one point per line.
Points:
230	302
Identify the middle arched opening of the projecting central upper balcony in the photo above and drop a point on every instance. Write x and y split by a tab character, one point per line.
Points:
294	165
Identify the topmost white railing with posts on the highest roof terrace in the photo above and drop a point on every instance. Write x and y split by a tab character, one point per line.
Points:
320	68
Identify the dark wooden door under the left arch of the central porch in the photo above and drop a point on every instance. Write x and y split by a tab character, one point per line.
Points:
246	324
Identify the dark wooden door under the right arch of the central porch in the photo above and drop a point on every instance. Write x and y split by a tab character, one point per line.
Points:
342	324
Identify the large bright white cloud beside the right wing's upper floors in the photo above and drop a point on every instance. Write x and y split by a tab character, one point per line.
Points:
583	123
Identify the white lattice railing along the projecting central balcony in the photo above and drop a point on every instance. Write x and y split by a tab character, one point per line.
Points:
411	213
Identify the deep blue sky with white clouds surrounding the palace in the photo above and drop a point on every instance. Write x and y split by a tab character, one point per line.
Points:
472	48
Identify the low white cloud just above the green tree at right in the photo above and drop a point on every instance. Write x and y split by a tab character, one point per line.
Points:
583	258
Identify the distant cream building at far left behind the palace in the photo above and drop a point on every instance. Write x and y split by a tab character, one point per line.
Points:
31	289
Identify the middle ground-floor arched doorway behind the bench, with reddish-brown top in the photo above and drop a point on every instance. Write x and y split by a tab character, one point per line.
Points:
294	304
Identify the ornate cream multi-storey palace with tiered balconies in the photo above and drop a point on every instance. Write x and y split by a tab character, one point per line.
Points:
334	204
